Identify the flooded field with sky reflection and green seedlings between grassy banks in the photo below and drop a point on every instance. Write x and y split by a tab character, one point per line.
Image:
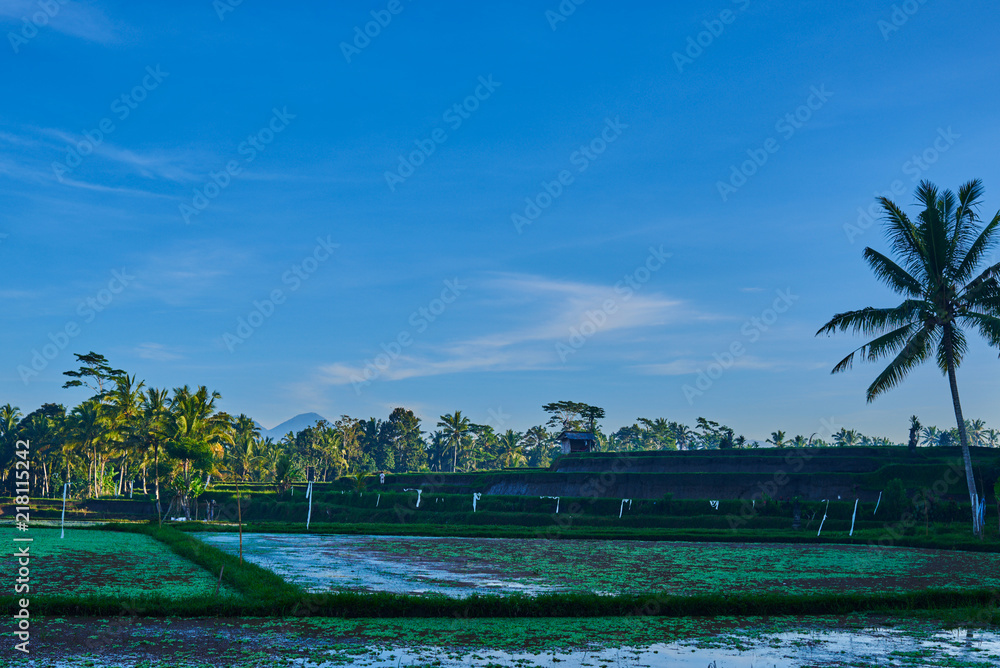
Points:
459	567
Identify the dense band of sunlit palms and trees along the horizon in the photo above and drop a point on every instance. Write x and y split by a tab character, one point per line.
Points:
129	437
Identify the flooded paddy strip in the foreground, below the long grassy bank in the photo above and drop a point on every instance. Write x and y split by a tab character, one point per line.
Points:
491	643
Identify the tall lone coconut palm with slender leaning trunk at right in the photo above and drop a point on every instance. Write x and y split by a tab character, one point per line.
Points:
939	257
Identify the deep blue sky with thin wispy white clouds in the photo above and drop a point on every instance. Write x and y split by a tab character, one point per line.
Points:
511	205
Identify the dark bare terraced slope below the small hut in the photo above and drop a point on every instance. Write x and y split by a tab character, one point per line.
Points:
810	474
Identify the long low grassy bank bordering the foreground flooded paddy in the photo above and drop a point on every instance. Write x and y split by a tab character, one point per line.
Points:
981	604
